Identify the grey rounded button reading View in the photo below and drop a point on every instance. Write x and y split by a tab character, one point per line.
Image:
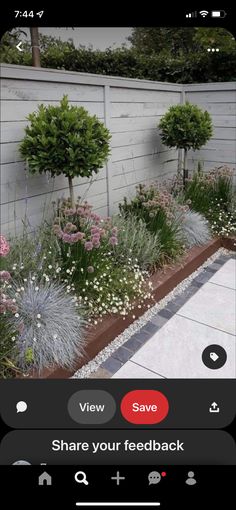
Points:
91	407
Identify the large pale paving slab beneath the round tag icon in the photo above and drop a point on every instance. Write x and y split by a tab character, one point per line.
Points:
175	351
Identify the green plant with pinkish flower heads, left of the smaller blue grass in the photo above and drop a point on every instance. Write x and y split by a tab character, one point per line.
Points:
157	208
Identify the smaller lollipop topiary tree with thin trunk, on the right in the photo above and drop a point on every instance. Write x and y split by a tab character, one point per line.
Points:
186	126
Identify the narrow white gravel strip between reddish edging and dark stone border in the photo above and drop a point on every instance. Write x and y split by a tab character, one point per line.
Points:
93	365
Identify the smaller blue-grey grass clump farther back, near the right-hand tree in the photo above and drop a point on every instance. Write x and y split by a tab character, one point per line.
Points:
194	228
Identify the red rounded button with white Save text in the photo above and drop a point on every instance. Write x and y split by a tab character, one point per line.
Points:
144	407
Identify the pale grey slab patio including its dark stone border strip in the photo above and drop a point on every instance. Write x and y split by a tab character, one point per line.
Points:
170	345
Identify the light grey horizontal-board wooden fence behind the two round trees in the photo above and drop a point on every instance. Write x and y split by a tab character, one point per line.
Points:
130	108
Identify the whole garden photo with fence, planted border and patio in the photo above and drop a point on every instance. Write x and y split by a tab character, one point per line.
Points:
118	203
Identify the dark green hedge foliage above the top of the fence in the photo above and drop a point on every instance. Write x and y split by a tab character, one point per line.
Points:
194	67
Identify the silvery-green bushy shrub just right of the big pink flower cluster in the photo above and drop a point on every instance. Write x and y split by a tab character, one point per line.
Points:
136	242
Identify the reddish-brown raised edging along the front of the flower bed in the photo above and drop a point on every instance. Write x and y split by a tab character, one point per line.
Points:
163	281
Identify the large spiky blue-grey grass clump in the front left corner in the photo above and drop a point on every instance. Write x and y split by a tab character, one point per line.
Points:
49	325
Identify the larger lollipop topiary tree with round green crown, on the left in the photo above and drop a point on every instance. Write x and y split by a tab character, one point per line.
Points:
65	140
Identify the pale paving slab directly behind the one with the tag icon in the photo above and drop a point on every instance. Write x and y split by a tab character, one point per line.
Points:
214	306
